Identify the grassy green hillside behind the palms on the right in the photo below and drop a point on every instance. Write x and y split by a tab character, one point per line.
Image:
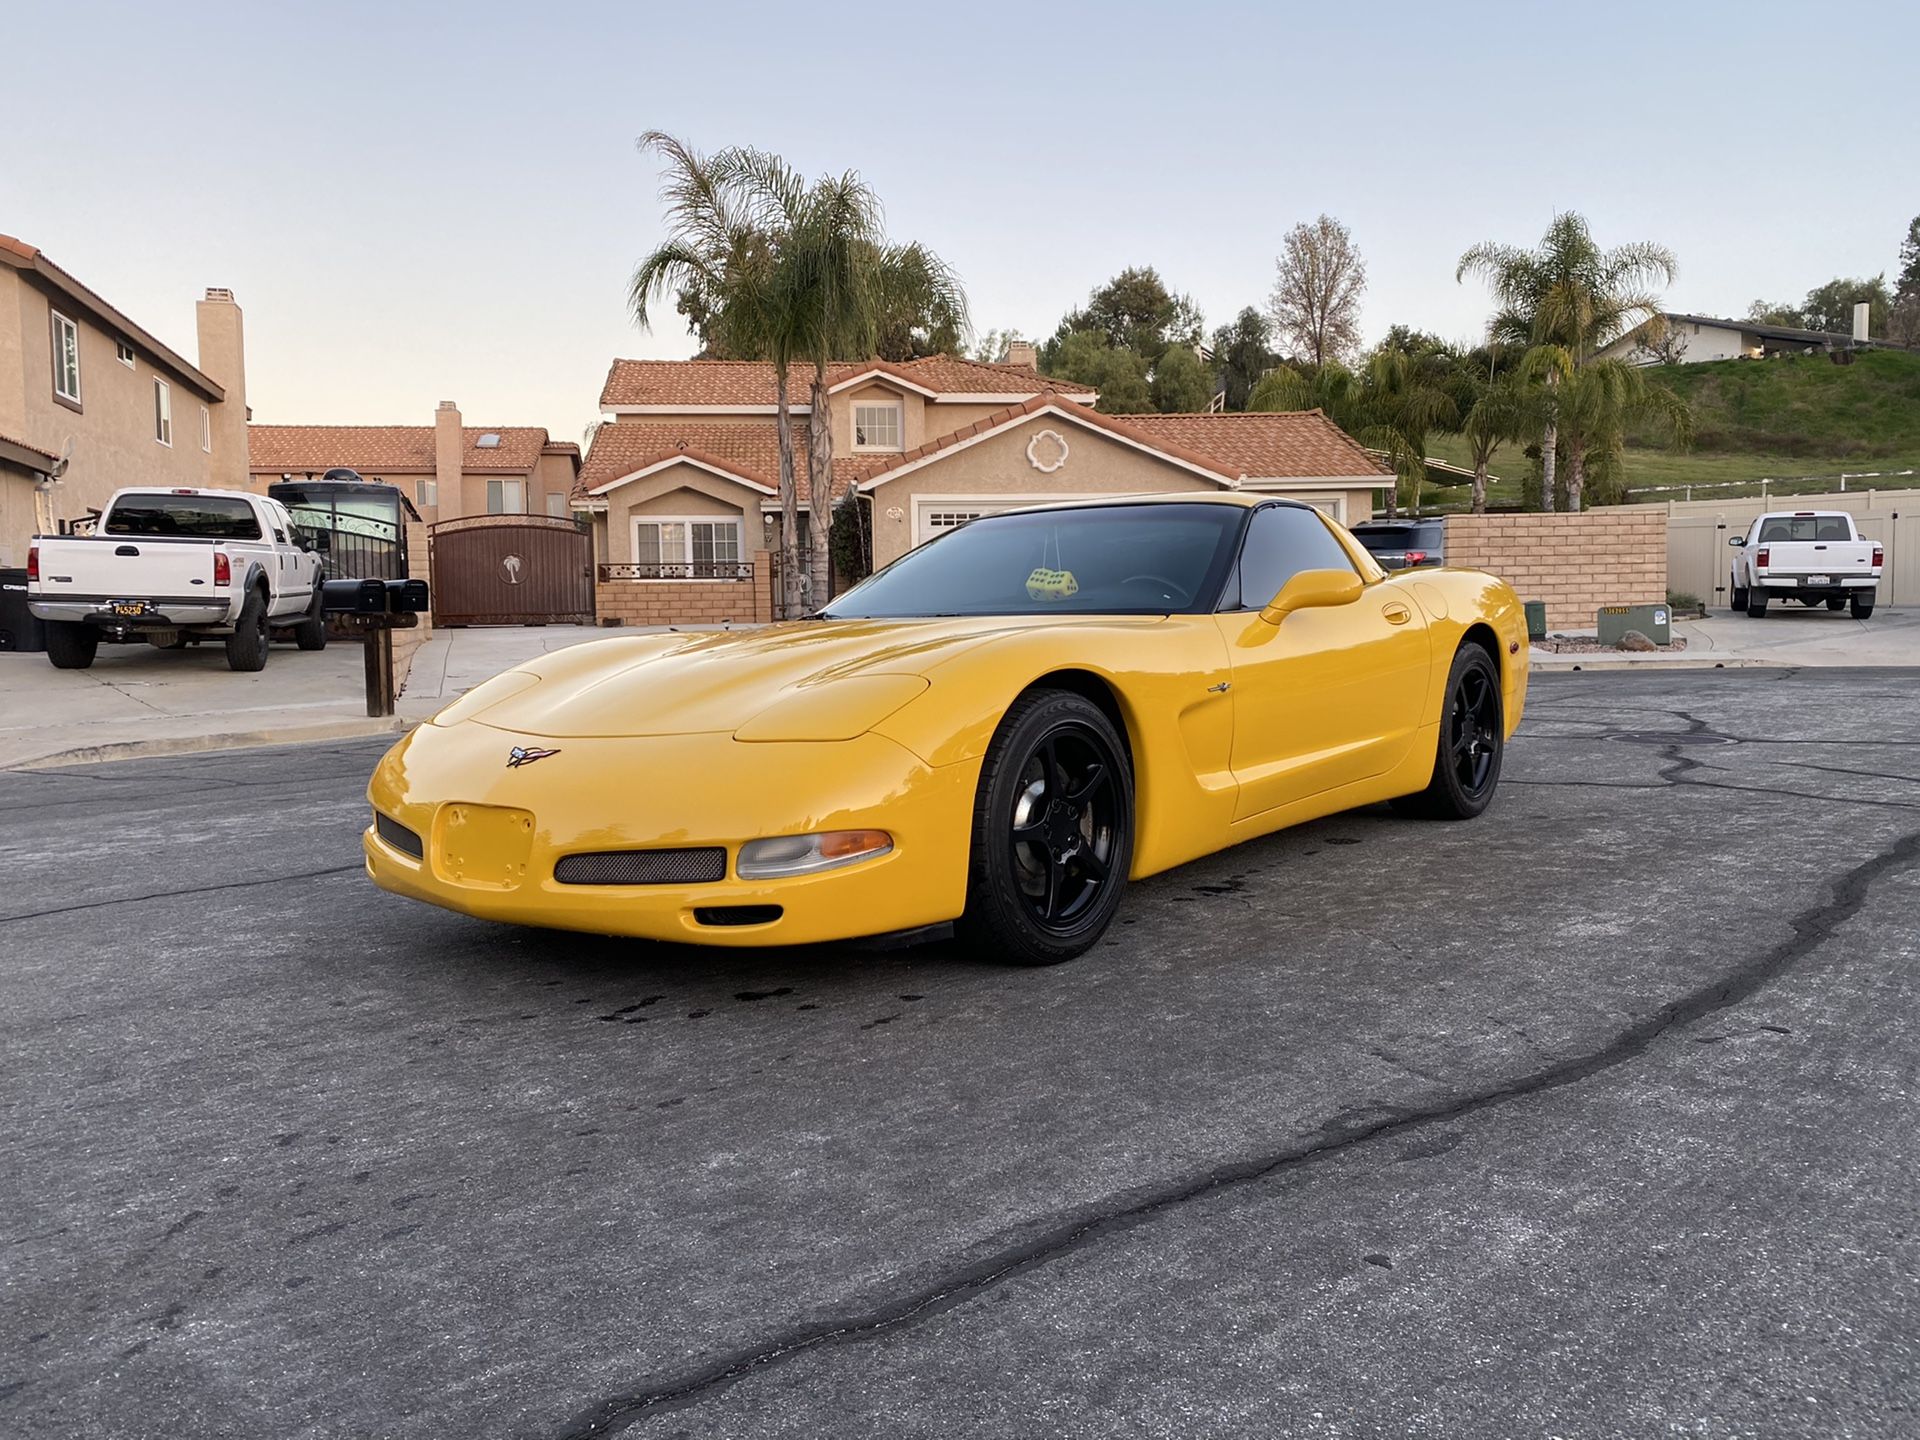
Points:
1781	420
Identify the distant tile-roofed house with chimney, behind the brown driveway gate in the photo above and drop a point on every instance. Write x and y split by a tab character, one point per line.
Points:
448	469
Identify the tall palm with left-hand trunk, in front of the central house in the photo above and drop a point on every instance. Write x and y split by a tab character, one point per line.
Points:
721	251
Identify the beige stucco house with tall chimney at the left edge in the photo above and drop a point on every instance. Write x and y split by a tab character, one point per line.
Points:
84	381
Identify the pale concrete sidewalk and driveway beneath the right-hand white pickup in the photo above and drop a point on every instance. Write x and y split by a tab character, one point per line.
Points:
1785	636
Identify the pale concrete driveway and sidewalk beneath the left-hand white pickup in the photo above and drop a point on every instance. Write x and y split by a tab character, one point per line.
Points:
143	702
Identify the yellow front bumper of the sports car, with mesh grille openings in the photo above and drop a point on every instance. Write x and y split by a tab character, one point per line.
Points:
671	792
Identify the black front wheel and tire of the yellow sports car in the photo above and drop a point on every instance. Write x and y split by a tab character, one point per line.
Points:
1053	832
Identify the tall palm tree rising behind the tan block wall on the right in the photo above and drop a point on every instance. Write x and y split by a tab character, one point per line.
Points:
1573	297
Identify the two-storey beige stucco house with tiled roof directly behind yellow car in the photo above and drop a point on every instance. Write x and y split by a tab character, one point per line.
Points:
683	477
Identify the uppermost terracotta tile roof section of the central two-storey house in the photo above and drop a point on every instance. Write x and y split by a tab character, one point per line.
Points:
752	383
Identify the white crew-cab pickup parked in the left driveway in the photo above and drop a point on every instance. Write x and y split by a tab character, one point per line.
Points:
174	565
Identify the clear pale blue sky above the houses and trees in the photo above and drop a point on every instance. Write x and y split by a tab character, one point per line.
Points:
444	203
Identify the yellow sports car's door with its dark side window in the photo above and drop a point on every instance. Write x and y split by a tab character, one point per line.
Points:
1330	696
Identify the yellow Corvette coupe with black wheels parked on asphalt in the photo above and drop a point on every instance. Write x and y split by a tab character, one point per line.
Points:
999	731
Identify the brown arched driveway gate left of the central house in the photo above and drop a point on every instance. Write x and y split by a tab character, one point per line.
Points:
512	571
